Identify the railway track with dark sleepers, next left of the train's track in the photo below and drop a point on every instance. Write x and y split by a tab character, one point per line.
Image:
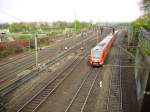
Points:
35	102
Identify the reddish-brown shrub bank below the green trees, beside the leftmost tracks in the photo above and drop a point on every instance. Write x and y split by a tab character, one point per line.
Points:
18	46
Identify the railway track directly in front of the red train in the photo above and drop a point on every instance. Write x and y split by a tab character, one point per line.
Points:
81	96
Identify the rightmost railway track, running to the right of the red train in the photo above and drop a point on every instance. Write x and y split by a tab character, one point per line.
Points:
114	99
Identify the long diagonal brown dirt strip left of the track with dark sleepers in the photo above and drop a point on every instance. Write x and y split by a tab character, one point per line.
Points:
23	93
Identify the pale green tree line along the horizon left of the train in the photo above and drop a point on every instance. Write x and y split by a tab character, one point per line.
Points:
44	26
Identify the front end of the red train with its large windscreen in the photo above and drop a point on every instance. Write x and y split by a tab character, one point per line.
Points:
95	55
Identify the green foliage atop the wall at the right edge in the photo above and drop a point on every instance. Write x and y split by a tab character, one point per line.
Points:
143	21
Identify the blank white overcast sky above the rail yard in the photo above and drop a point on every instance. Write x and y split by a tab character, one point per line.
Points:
53	10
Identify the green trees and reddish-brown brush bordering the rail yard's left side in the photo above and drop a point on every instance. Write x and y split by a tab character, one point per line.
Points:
23	34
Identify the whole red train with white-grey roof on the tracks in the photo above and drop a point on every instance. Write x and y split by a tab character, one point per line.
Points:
99	52
